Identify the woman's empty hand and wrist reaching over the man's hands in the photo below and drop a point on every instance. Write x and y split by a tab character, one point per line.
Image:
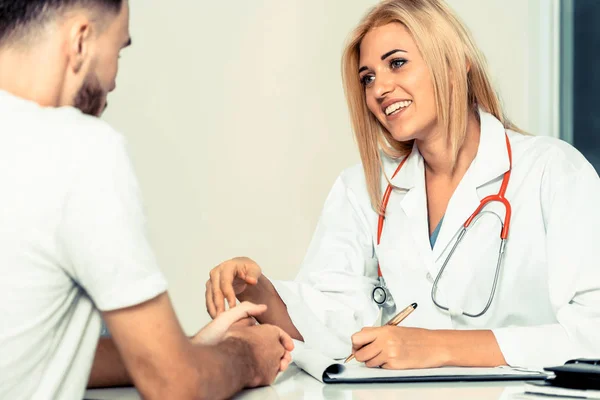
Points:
242	278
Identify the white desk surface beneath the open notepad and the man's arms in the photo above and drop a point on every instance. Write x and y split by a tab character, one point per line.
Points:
294	384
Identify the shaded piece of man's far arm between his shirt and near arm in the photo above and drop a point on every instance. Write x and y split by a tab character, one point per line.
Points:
108	369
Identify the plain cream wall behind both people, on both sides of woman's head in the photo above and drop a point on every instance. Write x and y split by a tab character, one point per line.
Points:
238	126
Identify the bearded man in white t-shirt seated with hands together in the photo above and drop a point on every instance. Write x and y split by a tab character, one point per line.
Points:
73	247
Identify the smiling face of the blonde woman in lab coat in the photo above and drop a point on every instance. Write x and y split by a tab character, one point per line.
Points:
397	82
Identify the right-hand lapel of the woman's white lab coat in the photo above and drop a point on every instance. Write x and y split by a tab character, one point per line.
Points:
490	164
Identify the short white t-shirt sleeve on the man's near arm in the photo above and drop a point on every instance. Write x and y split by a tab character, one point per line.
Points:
103	231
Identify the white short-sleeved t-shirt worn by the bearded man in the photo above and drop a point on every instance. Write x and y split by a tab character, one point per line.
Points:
72	242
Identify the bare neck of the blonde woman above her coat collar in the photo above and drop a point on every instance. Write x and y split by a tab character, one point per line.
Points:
437	153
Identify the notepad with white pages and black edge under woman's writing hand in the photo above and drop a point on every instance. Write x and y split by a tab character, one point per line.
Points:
327	370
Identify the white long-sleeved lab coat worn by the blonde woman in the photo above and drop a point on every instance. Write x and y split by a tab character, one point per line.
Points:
547	304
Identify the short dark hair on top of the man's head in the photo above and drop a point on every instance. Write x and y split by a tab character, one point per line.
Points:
18	18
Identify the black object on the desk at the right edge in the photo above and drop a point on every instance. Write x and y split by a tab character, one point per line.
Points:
582	373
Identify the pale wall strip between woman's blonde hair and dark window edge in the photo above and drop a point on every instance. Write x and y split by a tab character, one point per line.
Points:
520	41
